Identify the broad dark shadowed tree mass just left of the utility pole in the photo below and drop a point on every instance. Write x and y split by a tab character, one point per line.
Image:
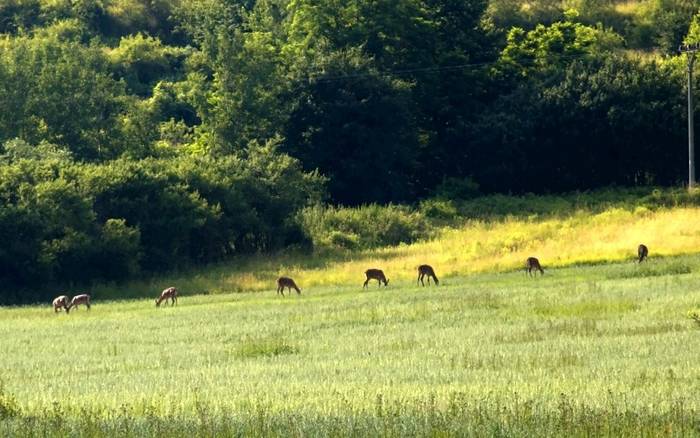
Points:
592	119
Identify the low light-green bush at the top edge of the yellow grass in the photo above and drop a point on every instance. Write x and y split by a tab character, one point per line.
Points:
364	227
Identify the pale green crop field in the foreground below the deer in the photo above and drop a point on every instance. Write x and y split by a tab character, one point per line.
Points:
588	350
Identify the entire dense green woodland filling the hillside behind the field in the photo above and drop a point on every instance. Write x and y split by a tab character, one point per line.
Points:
145	135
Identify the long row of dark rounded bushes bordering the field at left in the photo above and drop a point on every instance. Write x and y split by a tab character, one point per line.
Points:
69	222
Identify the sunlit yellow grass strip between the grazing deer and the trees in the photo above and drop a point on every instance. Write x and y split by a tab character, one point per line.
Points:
478	246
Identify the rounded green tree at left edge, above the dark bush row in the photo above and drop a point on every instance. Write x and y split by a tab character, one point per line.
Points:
51	78
